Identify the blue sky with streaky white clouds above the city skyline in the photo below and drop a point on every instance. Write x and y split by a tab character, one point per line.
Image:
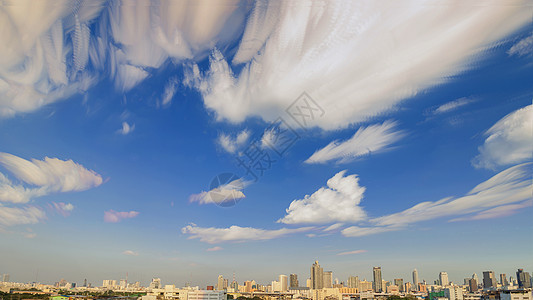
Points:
115	119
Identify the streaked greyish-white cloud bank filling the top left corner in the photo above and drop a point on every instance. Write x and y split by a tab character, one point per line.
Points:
48	49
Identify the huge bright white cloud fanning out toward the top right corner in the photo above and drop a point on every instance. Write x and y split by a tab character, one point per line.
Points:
335	52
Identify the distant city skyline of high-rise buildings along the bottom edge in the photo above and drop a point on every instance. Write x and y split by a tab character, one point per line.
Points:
319	285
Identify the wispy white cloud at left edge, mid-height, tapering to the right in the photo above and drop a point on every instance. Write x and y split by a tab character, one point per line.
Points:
43	177
